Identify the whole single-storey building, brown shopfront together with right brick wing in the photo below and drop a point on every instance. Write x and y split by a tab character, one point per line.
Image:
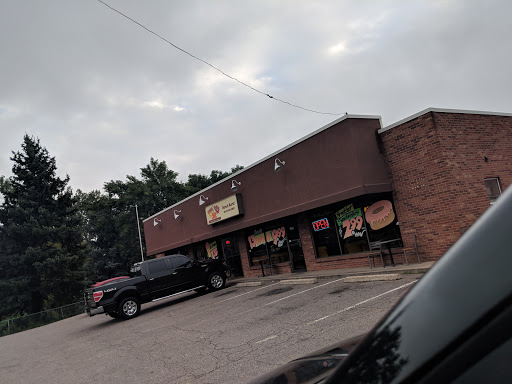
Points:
326	200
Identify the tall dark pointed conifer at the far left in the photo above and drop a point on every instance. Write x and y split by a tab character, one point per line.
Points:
41	252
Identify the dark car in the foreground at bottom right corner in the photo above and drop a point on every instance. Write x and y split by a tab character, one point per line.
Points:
454	325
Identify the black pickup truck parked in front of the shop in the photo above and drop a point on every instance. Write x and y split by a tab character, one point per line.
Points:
153	280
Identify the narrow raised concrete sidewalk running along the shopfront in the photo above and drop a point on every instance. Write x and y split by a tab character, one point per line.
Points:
400	269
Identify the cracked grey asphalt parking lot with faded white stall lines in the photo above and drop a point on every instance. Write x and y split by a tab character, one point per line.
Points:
229	336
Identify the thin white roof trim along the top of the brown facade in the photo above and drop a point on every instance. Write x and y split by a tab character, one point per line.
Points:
344	117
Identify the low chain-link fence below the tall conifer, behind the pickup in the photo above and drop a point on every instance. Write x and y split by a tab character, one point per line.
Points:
34	320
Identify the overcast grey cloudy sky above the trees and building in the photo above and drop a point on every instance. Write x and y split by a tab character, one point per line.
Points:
104	95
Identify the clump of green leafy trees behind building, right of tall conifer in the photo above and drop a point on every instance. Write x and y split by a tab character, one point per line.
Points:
109	220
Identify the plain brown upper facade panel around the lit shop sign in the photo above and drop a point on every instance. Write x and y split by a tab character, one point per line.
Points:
337	163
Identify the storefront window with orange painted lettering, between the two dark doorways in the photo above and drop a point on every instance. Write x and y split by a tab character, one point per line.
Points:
268	243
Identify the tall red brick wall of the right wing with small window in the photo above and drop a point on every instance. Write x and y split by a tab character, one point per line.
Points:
438	166
